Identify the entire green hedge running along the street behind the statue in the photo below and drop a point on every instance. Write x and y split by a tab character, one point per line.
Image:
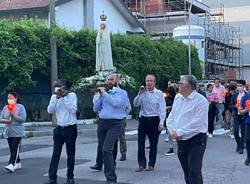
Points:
25	50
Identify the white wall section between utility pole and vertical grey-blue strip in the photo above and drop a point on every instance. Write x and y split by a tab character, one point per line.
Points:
70	15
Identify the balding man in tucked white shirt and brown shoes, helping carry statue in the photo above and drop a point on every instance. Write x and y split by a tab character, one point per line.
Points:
152	115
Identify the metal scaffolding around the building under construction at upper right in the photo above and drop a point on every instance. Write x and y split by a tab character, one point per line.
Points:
224	42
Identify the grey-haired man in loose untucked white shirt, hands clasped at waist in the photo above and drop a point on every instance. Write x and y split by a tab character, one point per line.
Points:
188	123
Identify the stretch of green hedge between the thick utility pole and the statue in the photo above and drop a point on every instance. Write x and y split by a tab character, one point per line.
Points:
76	54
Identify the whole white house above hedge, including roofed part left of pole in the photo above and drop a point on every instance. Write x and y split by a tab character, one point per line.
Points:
76	14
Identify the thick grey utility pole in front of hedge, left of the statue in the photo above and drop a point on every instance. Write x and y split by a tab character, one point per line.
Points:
53	50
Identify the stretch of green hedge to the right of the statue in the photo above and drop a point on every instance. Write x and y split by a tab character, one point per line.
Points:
166	58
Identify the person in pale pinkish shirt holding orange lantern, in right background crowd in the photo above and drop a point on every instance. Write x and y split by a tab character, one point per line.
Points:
221	92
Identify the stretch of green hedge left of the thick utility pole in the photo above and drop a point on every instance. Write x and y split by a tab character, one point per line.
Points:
24	50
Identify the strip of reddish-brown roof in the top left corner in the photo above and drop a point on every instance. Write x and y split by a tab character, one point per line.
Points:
22	4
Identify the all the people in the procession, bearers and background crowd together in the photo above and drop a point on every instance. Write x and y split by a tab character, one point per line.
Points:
188	115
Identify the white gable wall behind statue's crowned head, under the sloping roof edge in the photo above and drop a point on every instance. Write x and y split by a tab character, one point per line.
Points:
115	21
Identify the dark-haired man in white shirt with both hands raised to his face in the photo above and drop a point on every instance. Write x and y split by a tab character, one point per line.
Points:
64	105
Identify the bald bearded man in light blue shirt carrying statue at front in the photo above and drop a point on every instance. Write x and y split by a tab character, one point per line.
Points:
111	107
